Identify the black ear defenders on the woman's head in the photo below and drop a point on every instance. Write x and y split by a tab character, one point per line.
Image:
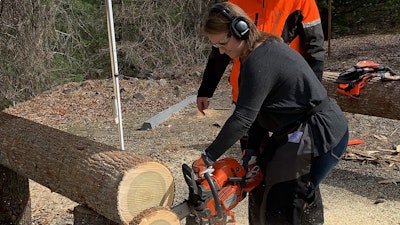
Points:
239	25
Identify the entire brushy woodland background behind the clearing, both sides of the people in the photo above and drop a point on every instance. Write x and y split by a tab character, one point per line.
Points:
45	43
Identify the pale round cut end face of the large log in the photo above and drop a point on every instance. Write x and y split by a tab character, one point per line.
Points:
148	185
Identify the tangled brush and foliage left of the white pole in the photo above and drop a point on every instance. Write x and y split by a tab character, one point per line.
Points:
47	43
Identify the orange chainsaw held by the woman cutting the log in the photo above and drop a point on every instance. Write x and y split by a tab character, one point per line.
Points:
212	197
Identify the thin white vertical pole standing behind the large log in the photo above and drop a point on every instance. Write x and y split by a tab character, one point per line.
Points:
114	67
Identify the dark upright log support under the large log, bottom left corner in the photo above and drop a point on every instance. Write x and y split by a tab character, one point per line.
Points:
15	203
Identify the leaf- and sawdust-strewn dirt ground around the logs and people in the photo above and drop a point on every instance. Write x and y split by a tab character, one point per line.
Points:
363	189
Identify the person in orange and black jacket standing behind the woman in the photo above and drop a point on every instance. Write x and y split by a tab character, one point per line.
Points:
297	22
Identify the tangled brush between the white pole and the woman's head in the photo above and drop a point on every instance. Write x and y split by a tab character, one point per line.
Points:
155	35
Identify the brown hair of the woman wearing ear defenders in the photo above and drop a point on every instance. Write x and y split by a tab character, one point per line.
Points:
216	23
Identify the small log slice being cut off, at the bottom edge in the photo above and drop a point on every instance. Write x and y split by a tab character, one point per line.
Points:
156	216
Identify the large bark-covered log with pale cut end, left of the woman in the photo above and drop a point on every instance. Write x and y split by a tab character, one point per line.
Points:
116	184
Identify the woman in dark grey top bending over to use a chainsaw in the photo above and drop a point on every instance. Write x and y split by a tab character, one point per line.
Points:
279	94
